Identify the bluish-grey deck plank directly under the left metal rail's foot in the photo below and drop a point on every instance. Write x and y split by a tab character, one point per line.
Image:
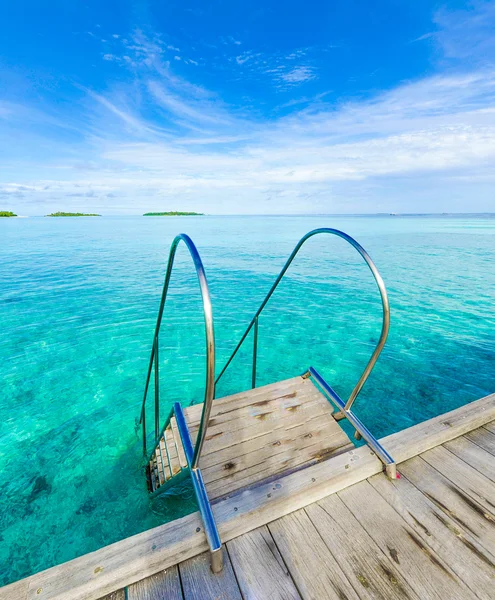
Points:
198	581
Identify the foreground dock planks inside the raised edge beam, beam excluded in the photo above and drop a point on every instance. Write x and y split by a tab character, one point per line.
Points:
428	535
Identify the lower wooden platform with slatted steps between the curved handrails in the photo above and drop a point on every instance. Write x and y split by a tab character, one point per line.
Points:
256	435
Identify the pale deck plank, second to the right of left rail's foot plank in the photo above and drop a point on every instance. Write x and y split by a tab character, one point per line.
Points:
311	564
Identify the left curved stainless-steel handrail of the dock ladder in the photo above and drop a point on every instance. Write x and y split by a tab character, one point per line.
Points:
210	345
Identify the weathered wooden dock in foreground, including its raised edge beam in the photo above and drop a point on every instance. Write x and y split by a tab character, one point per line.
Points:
336	528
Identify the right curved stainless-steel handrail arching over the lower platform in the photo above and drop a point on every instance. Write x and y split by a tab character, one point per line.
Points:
381	288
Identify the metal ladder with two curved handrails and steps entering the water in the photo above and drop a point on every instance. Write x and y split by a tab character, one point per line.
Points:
174	456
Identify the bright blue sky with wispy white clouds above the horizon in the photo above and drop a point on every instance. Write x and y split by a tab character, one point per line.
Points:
228	107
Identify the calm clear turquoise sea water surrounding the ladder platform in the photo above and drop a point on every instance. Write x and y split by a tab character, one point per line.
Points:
78	302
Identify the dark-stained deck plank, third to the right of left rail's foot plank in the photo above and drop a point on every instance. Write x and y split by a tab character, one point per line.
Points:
371	572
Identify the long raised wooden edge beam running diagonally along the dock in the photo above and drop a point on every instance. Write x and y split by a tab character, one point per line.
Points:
147	553
